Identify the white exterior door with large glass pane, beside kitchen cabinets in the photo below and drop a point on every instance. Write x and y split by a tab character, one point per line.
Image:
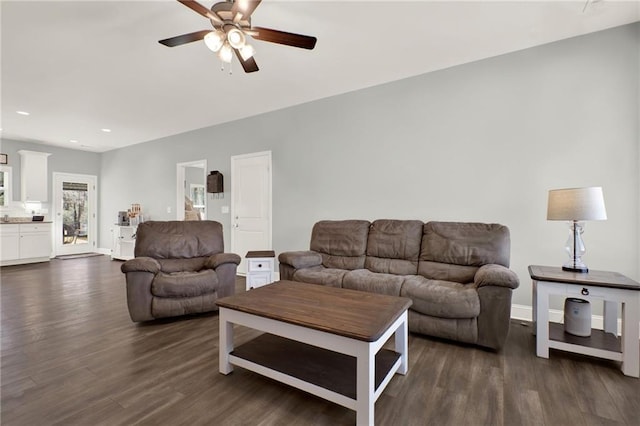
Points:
74	212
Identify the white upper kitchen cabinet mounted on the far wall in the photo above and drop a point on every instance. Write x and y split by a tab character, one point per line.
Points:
33	175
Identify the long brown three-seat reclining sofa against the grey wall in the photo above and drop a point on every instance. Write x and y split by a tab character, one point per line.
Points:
455	273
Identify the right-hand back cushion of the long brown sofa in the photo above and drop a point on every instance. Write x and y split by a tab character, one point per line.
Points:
454	251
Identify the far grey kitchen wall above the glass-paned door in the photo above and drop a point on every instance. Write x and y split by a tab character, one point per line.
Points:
61	160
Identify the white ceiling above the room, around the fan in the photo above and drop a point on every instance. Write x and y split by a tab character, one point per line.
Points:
80	66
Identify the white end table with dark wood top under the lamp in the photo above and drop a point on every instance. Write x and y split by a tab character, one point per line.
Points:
610	287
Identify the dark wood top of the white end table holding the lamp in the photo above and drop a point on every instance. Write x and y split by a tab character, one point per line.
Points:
593	278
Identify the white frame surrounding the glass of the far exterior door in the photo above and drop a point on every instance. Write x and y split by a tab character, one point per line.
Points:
56	209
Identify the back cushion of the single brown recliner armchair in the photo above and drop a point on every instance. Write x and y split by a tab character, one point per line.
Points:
179	240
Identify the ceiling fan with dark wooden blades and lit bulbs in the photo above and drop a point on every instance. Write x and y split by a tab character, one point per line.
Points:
231	21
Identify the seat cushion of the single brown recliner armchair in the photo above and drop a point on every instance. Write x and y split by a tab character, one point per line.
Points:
184	284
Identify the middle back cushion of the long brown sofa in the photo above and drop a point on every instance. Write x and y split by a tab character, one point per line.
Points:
393	246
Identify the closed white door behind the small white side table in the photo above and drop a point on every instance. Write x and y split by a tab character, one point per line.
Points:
250	204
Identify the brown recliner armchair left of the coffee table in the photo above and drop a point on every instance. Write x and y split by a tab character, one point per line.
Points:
179	268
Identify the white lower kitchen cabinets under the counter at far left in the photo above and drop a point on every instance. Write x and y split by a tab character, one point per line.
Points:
25	243
